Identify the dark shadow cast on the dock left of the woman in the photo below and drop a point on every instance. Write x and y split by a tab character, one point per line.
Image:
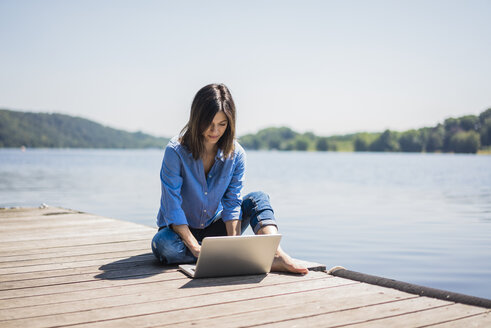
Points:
134	267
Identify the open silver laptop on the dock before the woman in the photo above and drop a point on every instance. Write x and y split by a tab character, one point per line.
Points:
234	255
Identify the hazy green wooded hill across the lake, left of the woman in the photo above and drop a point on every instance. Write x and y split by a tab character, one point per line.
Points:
62	131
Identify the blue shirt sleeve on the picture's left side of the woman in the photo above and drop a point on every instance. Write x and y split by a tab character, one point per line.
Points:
171	183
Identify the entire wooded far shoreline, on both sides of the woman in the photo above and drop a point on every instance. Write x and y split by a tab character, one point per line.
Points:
466	134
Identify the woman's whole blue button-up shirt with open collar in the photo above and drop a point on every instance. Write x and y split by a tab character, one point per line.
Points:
189	197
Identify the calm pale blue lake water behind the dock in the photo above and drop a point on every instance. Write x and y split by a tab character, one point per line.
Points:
419	218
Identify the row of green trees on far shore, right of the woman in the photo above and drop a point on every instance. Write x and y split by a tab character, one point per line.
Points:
466	134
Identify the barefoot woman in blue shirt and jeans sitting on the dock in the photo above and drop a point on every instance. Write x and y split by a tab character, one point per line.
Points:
202	177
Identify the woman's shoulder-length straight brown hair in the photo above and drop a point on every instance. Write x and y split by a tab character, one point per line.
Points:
208	101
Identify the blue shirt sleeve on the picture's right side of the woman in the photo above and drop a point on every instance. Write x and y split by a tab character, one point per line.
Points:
232	198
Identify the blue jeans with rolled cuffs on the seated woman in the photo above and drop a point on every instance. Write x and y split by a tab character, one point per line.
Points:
256	211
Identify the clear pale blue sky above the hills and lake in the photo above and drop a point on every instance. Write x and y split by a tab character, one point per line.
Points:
324	66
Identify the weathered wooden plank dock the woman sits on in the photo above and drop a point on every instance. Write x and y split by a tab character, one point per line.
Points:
61	267
